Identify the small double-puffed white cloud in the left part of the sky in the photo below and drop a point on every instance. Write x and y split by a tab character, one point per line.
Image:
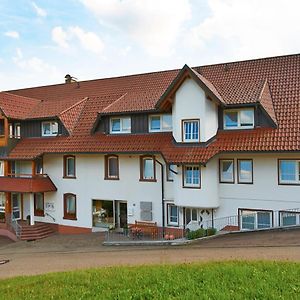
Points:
88	40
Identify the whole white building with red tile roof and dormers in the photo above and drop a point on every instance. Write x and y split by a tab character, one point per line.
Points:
184	148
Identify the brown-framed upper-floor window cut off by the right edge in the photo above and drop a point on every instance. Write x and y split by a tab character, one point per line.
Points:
289	171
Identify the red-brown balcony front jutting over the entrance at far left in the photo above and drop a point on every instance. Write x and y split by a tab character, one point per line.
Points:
26	183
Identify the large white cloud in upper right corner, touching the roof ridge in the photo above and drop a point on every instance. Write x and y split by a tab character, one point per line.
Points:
250	28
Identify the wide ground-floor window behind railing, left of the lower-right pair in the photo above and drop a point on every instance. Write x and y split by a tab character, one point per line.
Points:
255	219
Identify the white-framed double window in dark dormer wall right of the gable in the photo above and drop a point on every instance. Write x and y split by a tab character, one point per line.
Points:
239	119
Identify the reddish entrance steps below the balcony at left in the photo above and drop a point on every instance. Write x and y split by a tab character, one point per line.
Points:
35	232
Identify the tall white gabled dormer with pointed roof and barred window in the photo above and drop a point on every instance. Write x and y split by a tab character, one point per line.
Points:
194	103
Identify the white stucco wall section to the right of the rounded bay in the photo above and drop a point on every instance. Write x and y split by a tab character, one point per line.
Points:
264	193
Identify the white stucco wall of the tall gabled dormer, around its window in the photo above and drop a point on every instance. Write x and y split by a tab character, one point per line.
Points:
190	103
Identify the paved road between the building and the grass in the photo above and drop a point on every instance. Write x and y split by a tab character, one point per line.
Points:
85	251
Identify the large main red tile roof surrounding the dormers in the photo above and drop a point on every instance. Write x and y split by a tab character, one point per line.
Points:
271	82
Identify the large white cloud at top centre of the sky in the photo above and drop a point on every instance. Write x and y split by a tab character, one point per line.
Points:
154	24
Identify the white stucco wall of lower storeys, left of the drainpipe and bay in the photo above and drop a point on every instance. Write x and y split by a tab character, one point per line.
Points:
90	184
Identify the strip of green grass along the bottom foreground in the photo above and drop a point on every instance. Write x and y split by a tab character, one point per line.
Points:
221	280
